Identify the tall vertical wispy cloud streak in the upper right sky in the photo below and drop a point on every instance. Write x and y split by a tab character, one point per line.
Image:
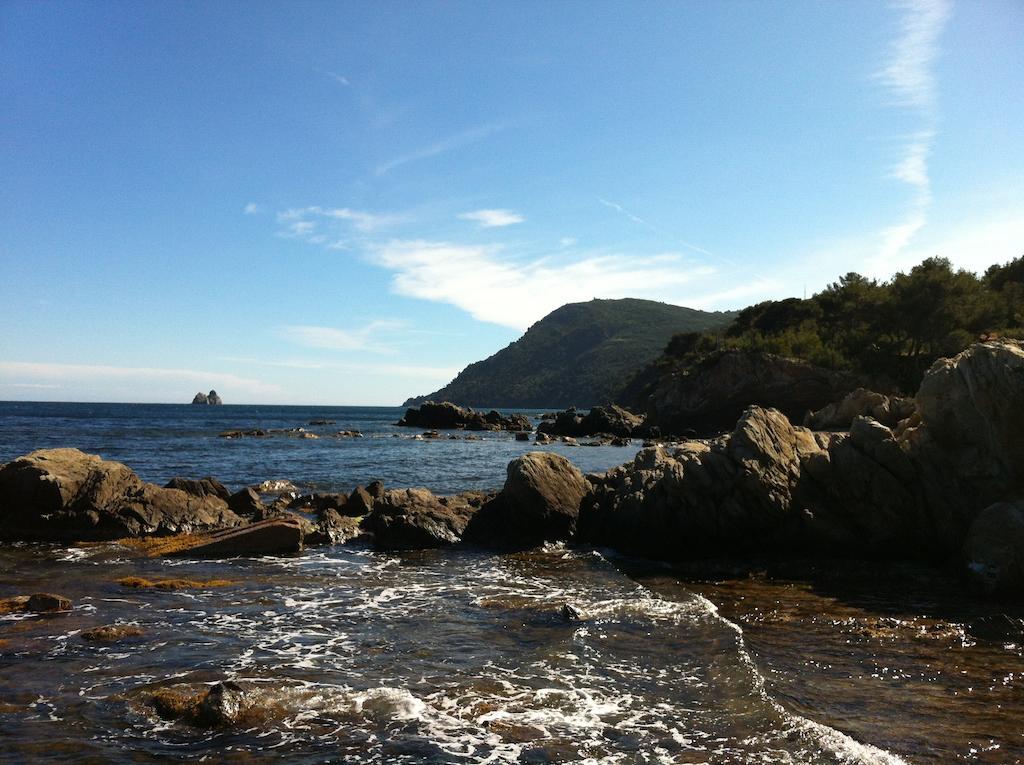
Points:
910	81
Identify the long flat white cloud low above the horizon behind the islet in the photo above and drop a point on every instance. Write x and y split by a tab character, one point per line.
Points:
103	382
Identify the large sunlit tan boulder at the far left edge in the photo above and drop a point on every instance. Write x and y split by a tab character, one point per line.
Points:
65	495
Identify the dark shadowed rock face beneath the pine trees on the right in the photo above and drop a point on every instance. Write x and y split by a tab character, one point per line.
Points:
709	397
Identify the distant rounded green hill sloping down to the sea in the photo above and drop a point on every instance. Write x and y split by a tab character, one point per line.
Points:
581	355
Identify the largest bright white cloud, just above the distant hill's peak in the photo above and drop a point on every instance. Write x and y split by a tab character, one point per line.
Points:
517	294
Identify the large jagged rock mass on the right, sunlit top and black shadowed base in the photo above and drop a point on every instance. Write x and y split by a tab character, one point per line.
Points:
771	487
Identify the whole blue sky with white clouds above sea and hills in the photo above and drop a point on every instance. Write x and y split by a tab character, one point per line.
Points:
347	203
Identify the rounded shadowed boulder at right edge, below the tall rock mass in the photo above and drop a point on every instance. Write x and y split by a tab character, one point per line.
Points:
994	551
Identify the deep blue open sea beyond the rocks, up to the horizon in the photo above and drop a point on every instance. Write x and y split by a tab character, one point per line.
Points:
161	442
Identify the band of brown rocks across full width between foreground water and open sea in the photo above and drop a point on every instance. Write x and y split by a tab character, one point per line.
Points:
945	485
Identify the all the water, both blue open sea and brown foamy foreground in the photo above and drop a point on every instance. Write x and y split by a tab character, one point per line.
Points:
464	656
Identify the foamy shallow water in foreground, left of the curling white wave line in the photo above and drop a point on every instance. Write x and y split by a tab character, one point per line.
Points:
359	657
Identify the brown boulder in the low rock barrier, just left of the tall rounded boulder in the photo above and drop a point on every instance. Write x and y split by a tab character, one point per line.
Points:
416	520
